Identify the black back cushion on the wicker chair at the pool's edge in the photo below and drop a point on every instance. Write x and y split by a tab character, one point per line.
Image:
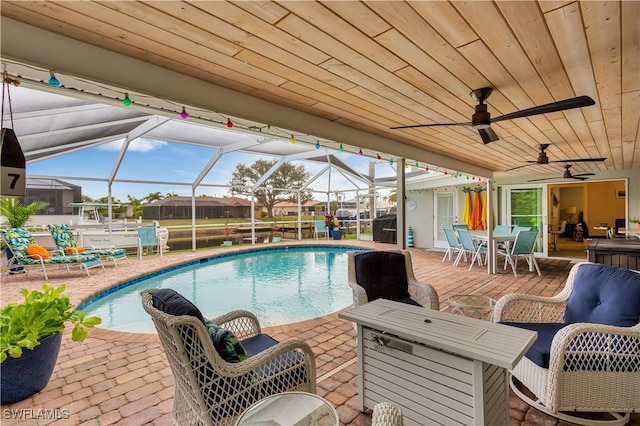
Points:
382	275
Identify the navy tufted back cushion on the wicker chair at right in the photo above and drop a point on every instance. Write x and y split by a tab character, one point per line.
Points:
604	294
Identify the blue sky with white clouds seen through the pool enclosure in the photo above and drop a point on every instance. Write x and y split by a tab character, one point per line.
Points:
153	160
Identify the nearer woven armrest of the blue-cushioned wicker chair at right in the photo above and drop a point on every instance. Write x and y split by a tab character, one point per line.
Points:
588	346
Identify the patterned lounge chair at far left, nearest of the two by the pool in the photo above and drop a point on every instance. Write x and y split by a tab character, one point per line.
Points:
18	239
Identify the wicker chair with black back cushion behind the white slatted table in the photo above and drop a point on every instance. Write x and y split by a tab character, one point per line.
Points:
387	274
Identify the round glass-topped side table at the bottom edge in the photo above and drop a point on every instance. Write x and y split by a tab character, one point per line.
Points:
290	408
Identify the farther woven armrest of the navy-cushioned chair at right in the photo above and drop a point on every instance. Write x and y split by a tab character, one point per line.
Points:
517	307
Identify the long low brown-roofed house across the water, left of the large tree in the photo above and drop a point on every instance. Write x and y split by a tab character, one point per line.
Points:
206	208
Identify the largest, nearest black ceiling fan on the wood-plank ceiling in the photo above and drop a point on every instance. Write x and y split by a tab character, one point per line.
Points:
481	120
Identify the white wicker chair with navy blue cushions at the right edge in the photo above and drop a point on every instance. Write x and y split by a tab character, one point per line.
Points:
587	354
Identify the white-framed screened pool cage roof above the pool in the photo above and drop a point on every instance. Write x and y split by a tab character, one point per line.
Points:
50	122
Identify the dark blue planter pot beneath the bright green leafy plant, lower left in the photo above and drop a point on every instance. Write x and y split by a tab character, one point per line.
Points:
29	374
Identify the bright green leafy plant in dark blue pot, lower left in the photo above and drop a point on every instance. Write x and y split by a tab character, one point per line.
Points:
30	337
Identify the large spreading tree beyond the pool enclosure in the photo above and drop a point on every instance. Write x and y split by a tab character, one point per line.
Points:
286	176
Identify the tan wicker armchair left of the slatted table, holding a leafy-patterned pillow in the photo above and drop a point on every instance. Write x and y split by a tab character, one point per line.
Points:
223	365
